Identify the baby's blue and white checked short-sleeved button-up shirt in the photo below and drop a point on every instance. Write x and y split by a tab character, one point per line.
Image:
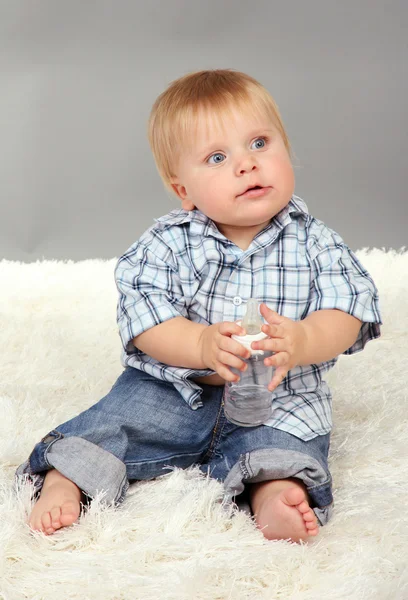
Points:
184	266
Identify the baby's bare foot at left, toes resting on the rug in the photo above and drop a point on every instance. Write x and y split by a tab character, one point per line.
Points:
58	505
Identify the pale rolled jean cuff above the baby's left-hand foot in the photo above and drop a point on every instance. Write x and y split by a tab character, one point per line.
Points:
87	465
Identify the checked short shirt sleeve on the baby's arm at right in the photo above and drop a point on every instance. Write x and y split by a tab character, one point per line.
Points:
339	281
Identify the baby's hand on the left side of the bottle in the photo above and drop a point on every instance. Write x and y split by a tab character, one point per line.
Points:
219	351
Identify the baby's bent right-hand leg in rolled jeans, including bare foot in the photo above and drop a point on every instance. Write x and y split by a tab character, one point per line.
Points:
279	479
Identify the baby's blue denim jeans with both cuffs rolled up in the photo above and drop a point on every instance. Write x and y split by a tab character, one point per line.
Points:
143	426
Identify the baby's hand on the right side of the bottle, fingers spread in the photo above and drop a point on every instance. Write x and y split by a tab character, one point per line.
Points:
286	338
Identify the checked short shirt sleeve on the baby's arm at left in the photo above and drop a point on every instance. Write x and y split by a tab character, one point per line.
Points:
149	290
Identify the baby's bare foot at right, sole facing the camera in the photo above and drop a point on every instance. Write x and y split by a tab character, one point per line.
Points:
282	510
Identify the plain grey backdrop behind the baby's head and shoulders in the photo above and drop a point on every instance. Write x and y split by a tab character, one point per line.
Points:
78	79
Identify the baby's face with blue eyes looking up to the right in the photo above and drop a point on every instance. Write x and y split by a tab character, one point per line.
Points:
224	164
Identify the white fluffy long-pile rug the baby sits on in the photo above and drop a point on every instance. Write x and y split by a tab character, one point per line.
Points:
171	539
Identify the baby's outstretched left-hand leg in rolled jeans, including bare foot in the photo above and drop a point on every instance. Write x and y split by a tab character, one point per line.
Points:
140	430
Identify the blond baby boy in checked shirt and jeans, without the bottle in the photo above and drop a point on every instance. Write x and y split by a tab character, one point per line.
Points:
221	148
